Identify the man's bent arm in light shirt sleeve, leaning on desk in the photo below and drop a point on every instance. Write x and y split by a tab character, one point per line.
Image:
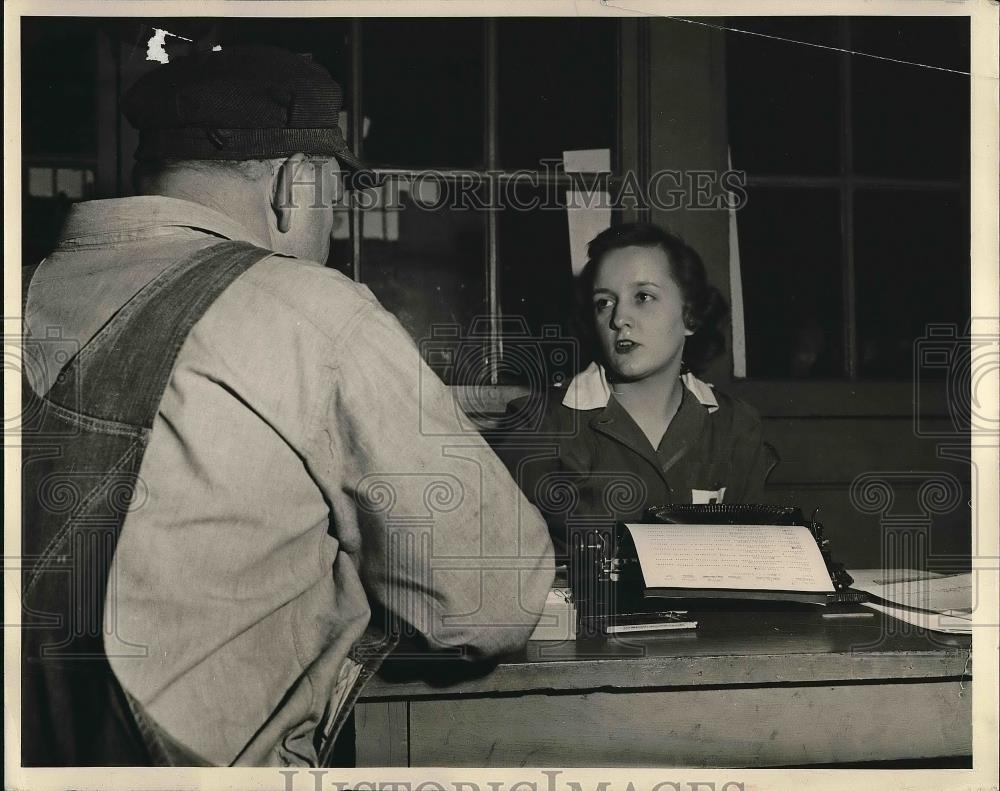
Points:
442	535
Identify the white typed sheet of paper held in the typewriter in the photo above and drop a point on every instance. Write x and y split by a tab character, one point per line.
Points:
740	557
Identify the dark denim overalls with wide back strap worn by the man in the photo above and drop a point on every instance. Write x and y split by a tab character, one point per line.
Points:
82	447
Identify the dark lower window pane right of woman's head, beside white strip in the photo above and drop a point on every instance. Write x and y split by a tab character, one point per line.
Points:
790	252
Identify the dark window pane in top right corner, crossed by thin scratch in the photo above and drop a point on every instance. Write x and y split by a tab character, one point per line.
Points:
911	121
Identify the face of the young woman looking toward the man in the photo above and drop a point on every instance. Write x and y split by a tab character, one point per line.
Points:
639	313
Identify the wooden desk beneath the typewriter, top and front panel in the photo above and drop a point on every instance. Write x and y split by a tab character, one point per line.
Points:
743	691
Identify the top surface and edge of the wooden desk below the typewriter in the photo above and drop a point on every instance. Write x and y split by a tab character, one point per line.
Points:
747	648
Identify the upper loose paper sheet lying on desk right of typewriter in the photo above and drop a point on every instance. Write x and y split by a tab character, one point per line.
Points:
950	594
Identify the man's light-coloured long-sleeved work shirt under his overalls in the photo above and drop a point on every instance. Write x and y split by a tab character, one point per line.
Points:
304	464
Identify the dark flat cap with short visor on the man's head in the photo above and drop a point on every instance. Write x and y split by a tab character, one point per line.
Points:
238	103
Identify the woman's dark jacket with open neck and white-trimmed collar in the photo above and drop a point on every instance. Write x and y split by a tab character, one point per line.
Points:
590	467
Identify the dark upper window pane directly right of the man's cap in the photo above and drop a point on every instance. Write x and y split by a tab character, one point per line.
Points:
423	93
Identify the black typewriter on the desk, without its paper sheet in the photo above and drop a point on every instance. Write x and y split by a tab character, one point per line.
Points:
607	581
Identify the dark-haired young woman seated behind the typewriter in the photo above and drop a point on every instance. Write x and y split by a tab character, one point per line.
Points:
636	428
